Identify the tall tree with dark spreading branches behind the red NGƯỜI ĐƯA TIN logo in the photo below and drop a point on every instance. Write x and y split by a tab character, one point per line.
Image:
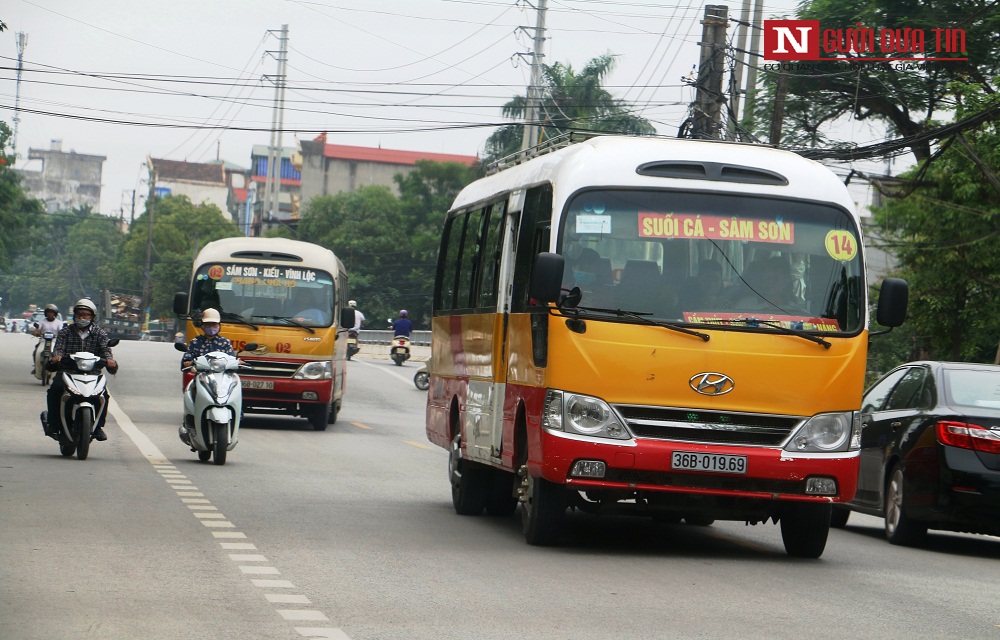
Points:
907	101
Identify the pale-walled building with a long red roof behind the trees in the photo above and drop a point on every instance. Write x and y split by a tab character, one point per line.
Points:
328	169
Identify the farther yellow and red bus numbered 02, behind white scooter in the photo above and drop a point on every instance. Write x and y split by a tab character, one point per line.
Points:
290	298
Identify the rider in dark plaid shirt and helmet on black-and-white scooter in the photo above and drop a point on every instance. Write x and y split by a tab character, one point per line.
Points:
82	335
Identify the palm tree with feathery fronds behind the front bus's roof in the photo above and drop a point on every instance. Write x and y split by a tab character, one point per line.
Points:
569	102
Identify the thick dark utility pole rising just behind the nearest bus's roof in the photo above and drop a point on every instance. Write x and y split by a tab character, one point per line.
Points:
709	98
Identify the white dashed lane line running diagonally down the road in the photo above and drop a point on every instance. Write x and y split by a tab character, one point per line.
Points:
208	514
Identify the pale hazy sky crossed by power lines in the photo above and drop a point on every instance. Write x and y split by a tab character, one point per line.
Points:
186	80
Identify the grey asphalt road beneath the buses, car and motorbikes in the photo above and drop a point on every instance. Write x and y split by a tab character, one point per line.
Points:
350	533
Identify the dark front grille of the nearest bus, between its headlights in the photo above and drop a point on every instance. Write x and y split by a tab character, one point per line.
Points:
710	427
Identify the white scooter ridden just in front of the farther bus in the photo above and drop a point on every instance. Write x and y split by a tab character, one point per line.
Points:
213	405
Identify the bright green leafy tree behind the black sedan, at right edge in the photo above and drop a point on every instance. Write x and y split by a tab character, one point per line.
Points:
946	238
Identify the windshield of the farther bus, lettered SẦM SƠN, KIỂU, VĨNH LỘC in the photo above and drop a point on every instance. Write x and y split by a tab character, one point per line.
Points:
265	294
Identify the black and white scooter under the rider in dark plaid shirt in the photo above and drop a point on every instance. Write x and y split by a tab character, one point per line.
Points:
81	403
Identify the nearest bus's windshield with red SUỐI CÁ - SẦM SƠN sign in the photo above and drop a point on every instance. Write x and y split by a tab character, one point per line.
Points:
712	258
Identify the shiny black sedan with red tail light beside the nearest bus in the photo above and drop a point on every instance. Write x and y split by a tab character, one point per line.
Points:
930	451
